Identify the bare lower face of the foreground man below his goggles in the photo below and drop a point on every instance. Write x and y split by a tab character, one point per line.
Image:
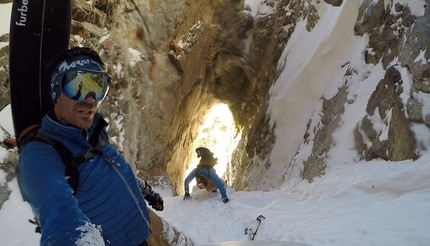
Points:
77	113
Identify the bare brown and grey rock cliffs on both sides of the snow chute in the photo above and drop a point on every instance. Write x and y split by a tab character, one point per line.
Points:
171	61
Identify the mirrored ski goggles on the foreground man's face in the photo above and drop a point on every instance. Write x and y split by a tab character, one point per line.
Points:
80	84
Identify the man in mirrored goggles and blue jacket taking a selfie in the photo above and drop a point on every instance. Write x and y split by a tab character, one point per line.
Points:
108	206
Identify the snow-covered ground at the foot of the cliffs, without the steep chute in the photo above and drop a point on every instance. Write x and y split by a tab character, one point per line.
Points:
366	203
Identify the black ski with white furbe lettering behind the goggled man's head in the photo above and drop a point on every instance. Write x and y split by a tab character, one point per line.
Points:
39	31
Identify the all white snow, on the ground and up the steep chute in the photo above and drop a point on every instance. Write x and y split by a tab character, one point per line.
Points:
355	203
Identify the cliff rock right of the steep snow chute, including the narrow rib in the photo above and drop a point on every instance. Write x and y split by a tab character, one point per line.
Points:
399	40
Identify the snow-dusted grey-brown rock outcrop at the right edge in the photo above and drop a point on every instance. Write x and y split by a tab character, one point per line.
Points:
395	34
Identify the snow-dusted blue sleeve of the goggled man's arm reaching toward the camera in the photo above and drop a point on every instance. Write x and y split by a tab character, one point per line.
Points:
41	176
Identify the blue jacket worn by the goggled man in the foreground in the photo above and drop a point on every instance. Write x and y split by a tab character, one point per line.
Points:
107	208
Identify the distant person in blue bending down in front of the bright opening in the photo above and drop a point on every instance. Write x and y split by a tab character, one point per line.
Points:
206	177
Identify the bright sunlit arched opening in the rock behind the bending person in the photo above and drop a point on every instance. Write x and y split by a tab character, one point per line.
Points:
220	134
